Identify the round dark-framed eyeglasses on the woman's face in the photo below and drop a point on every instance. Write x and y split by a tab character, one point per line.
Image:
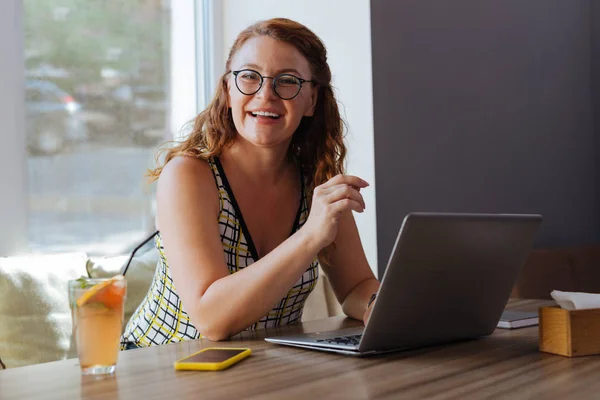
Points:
285	86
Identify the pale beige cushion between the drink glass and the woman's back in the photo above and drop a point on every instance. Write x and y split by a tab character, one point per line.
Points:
139	275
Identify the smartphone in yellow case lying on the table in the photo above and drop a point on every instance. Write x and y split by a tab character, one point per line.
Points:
212	359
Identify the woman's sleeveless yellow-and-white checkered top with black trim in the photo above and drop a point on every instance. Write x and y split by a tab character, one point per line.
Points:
161	317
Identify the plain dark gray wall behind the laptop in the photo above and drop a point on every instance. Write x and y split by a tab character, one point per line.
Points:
486	106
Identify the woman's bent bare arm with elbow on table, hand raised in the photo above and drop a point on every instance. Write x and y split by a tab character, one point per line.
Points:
222	304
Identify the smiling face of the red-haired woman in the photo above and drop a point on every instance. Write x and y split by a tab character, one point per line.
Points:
270	58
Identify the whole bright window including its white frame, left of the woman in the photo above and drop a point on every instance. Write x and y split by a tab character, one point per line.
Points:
105	83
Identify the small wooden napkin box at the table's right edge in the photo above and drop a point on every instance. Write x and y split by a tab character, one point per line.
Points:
569	333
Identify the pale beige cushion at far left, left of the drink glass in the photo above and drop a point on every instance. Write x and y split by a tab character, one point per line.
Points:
35	318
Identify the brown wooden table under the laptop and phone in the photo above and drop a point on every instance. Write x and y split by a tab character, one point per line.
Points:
506	364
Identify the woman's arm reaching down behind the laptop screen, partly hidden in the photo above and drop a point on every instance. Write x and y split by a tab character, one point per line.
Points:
351	278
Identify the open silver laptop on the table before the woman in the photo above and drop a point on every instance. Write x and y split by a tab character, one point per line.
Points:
448	278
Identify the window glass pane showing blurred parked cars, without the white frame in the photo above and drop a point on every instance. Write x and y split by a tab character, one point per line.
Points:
97	92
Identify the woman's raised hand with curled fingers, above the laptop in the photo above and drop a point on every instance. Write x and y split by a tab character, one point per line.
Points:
339	194
